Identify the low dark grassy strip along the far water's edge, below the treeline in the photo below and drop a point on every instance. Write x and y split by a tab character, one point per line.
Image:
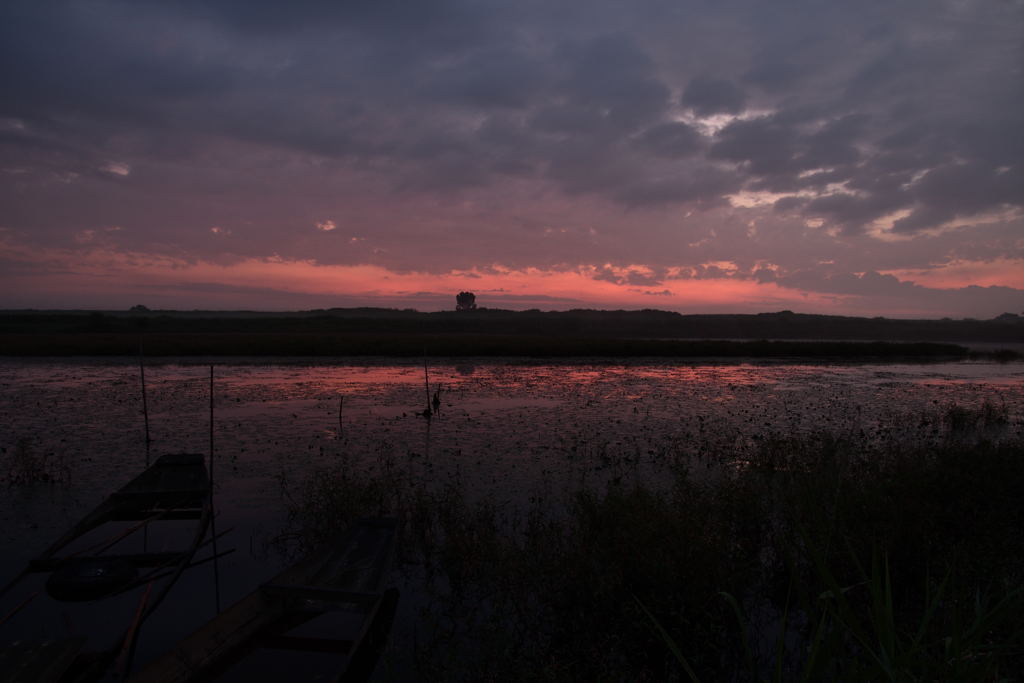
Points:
413	346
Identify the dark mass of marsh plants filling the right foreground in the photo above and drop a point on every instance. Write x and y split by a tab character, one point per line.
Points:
823	558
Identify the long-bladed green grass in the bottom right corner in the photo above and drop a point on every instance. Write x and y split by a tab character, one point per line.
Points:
840	643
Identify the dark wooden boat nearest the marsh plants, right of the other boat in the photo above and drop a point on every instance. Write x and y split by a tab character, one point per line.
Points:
348	575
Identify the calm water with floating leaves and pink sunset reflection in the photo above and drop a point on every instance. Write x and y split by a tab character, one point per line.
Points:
506	431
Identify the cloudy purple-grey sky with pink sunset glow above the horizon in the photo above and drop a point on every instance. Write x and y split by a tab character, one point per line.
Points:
844	157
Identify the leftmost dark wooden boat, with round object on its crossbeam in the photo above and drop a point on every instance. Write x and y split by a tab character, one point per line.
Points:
80	570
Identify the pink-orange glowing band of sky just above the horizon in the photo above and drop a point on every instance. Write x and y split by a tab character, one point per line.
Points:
100	277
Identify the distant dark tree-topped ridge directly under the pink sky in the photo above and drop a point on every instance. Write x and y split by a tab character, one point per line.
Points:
647	324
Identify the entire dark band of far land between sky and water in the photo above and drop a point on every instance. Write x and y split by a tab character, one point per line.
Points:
484	332
